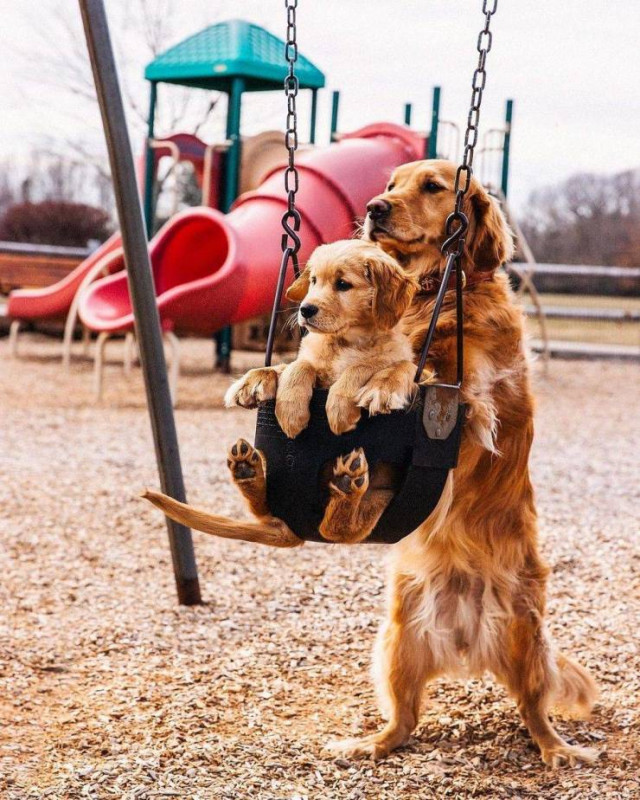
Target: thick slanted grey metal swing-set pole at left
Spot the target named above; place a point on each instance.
(141, 288)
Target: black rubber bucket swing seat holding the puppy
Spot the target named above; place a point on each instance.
(424, 440)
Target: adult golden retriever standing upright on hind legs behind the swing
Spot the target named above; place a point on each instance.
(467, 590)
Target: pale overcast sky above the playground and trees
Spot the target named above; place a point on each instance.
(572, 67)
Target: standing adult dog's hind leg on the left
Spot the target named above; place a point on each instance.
(403, 663)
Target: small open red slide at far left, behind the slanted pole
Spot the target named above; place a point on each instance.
(53, 302)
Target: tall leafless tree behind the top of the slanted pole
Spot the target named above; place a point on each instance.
(142, 29)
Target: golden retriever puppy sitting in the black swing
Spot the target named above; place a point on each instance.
(352, 296)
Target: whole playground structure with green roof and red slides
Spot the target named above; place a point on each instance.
(210, 271)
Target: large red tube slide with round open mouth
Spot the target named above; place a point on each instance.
(212, 269)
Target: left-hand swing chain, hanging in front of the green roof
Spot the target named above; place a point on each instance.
(291, 218)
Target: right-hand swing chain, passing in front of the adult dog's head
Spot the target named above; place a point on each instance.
(454, 243)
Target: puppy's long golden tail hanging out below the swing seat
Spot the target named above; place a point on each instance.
(271, 532)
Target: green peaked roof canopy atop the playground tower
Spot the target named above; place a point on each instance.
(211, 59)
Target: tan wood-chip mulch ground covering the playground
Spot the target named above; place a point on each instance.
(108, 689)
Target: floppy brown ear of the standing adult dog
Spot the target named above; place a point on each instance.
(490, 241)
